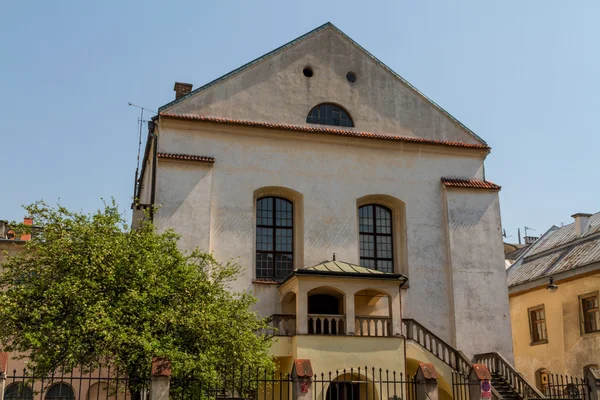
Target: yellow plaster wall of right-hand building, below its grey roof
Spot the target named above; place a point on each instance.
(567, 350)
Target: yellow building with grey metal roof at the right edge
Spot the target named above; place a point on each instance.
(554, 297)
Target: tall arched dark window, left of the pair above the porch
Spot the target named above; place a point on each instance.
(274, 237)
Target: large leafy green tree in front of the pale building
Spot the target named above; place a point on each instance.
(86, 289)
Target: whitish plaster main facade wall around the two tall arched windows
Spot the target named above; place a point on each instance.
(331, 173)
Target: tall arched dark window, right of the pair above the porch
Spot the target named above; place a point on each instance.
(376, 240)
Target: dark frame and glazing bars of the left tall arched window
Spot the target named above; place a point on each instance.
(274, 227)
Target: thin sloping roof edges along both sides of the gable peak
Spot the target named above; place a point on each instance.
(303, 37)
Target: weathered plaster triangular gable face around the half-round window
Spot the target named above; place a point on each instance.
(273, 89)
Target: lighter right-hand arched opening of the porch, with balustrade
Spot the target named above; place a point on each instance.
(373, 314)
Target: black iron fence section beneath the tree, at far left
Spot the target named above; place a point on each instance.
(84, 383)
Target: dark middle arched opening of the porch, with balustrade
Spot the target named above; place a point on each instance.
(326, 311)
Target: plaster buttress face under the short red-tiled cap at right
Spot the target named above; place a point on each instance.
(476, 261)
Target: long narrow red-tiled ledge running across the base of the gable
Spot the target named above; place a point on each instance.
(326, 131)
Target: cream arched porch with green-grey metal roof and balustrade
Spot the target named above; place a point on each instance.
(352, 297)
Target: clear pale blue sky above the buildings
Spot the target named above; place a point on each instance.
(521, 74)
